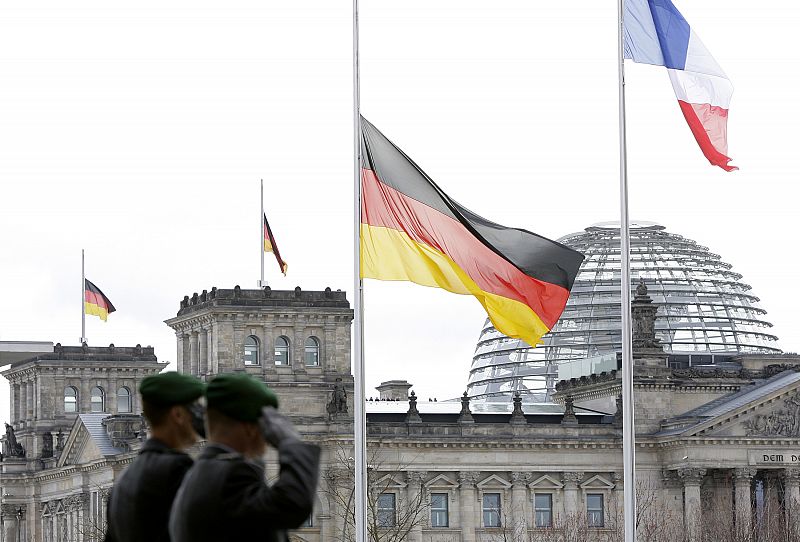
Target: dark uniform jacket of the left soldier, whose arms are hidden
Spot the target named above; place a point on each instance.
(142, 497)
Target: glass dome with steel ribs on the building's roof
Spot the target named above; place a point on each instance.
(705, 313)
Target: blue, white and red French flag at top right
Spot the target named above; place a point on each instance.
(656, 33)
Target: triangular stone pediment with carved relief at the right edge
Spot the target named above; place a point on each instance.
(769, 410)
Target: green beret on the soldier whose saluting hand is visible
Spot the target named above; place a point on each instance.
(239, 396)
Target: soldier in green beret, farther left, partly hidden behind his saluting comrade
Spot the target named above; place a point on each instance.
(142, 497)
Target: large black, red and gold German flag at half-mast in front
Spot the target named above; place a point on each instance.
(411, 230)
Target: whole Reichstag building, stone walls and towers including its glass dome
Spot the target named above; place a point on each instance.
(530, 452)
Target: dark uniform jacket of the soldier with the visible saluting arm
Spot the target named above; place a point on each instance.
(226, 497)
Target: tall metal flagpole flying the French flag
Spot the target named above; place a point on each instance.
(628, 433)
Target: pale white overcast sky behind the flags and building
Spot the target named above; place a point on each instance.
(139, 131)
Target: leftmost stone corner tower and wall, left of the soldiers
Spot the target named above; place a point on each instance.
(56, 478)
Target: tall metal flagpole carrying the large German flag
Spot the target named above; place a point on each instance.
(360, 422)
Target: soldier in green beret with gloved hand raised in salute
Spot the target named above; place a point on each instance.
(225, 495)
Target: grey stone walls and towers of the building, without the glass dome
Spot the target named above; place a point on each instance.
(447, 471)
